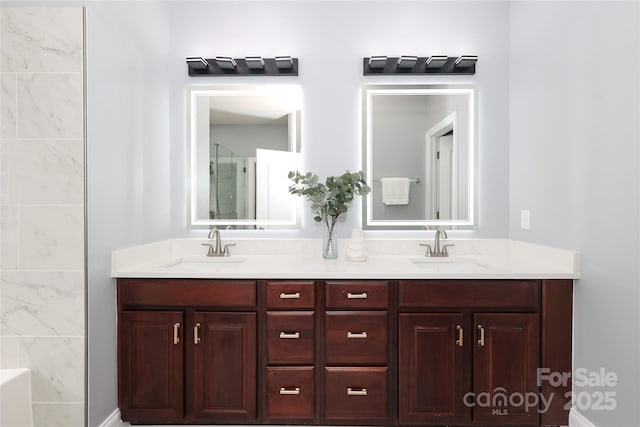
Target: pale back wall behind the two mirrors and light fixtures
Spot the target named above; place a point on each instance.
(330, 39)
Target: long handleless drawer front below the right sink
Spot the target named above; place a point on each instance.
(515, 294)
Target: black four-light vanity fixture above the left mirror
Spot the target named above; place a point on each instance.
(248, 66)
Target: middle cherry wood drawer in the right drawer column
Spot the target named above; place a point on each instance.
(356, 337)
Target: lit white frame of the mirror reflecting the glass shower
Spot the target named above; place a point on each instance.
(195, 91)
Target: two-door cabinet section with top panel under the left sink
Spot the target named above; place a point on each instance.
(187, 351)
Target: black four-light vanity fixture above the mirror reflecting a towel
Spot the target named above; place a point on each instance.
(435, 64)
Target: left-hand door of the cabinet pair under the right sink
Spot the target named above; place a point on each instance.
(430, 369)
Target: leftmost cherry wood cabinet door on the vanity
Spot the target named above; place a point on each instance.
(150, 358)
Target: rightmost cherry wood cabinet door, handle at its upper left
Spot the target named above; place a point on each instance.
(506, 358)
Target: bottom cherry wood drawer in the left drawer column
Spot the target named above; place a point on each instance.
(290, 392)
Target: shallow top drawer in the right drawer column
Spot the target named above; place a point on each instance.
(357, 294)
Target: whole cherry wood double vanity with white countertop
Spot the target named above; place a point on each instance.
(384, 342)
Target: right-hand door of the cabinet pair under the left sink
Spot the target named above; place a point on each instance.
(224, 367)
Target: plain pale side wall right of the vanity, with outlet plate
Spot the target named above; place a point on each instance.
(574, 141)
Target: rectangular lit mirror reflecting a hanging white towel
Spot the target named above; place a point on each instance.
(419, 144)
